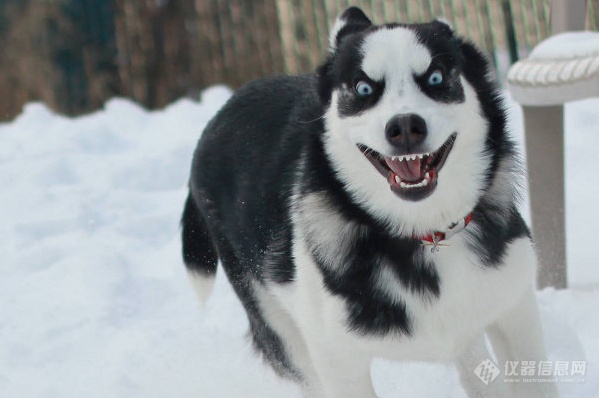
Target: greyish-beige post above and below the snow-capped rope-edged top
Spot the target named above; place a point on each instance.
(545, 156)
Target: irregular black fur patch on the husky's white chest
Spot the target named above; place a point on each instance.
(371, 311)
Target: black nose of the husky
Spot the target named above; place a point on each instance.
(406, 132)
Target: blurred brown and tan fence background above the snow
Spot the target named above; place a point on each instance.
(75, 54)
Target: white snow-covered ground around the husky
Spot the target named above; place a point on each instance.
(94, 301)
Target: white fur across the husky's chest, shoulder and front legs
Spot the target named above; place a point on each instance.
(336, 363)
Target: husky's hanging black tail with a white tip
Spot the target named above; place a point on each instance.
(199, 253)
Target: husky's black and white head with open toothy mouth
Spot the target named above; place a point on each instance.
(414, 125)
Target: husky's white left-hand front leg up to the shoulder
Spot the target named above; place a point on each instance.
(335, 366)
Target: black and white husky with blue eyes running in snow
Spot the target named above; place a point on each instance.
(369, 210)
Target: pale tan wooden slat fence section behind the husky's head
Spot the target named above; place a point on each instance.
(489, 24)
